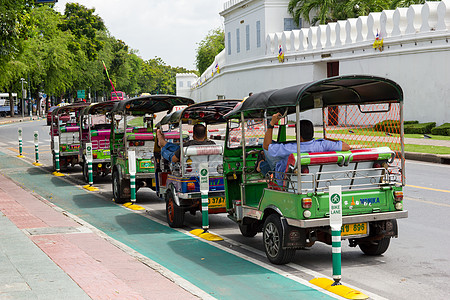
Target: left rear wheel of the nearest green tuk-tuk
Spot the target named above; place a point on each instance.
(273, 240)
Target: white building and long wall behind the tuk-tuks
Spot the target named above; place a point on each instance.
(415, 53)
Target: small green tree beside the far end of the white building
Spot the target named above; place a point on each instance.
(208, 48)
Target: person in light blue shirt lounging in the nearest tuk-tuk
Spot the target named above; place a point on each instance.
(275, 155)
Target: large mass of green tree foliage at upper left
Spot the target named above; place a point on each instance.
(61, 53)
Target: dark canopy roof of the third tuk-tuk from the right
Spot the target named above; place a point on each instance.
(151, 104)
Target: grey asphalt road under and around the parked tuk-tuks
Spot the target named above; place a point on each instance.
(417, 264)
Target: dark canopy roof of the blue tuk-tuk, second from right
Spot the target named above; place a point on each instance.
(210, 112)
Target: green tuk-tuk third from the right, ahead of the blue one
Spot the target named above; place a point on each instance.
(132, 130)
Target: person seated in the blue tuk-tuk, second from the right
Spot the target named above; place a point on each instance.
(172, 152)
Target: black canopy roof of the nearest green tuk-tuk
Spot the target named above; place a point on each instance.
(340, 90)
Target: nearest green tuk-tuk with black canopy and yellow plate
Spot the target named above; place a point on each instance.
(291, 207)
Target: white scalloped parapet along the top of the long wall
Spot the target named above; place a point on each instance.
(402, 22)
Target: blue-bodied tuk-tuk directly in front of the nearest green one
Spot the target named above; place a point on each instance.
(179, 183)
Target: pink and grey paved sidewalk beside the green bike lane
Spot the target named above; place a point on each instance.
(45, 253)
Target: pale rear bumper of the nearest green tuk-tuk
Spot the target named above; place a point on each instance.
(349, 219)
